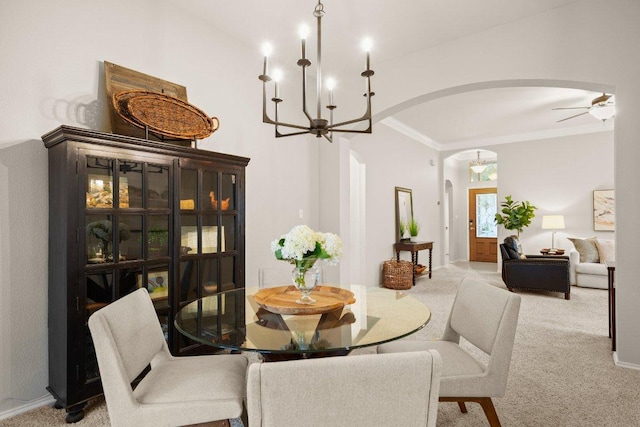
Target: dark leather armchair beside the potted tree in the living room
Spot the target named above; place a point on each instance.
(534, 272)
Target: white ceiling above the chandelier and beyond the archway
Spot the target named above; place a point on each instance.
(400, 28)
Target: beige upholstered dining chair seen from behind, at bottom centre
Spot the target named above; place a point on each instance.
(370, 390)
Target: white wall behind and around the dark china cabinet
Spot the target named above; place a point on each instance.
(52, 66)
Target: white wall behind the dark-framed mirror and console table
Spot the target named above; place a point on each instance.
(394, 160)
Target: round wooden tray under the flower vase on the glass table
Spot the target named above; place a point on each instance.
(282, 299)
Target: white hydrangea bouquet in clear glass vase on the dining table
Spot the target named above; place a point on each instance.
(302, 247)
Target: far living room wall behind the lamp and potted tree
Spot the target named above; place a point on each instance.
(557, 175)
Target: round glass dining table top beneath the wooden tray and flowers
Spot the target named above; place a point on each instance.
(233, 320)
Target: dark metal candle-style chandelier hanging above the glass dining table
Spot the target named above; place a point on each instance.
(318, 126)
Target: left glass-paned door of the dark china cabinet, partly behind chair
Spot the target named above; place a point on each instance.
(127, 240)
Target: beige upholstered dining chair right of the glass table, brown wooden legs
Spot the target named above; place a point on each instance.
(486, 316)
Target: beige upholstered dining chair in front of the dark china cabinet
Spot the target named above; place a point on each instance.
(177, 390)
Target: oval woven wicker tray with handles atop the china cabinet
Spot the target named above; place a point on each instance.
(164, 115)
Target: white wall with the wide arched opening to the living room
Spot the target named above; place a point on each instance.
(551, 46)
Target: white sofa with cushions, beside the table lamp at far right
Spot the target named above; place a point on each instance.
(591, 274)
